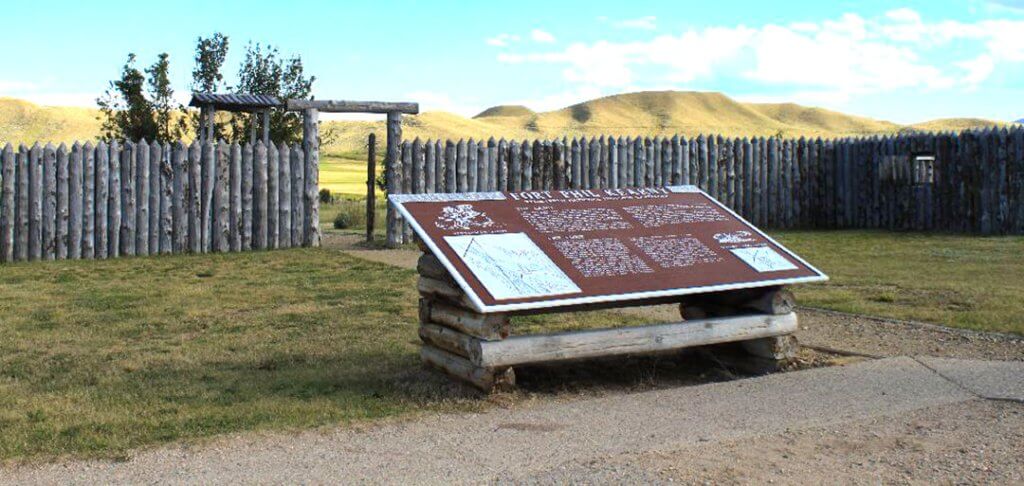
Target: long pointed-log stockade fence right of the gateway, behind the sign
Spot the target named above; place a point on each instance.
(971, 182)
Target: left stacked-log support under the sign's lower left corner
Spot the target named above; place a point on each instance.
(452, 332)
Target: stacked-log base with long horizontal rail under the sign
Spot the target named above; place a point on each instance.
(480, 349)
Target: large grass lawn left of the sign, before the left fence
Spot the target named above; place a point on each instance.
(98, 358)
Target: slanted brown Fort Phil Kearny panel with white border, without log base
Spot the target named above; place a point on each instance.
(537, 250)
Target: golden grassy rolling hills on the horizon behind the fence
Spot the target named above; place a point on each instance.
(651, 113)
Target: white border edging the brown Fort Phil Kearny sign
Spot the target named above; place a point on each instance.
(399, 201)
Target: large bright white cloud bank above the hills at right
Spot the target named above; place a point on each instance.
(838, 58)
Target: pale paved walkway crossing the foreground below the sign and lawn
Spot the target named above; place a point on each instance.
(531, 443)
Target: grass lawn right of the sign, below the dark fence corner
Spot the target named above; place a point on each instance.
(963, 282)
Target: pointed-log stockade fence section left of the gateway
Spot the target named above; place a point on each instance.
(106, 201)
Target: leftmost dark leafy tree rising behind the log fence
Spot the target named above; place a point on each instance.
(125, 111)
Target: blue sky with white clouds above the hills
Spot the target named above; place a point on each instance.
(902, 62)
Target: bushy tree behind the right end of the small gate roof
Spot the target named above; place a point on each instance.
(265, 72)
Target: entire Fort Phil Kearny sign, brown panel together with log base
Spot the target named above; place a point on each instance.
(489, 256)
